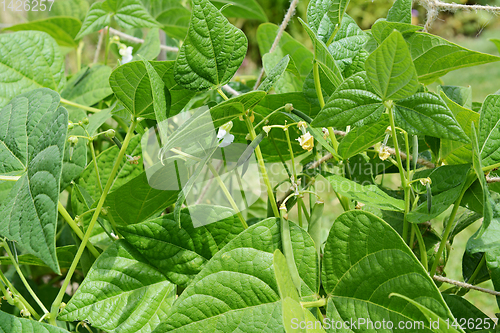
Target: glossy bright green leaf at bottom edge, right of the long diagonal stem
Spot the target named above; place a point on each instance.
(121, 293)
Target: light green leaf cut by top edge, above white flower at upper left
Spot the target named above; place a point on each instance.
(127, 13)
